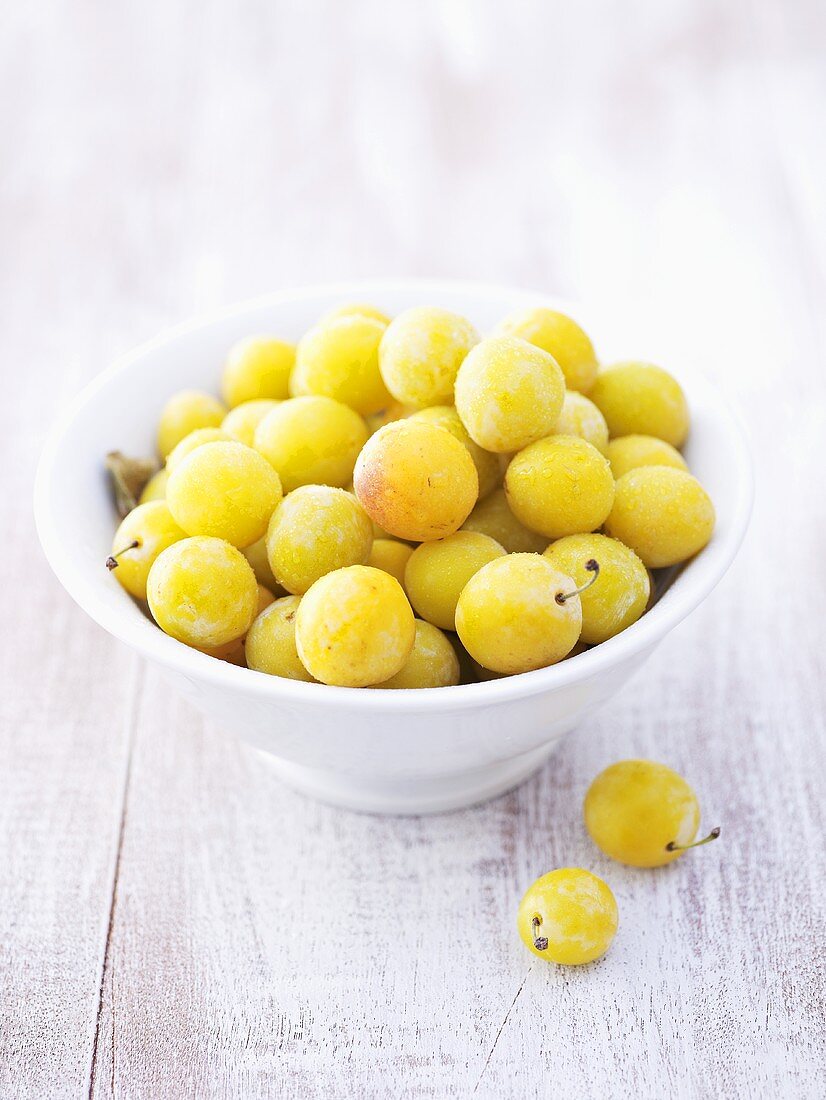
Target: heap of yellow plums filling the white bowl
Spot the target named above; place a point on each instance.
(399, 503)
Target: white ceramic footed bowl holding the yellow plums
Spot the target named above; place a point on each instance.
(394, 752)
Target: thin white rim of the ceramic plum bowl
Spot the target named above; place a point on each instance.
(687, 593)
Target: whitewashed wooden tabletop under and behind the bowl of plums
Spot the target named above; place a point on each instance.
(175, 923)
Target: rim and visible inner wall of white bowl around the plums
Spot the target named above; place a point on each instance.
(119, 412)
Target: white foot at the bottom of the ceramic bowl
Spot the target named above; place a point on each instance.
(428, 795)
